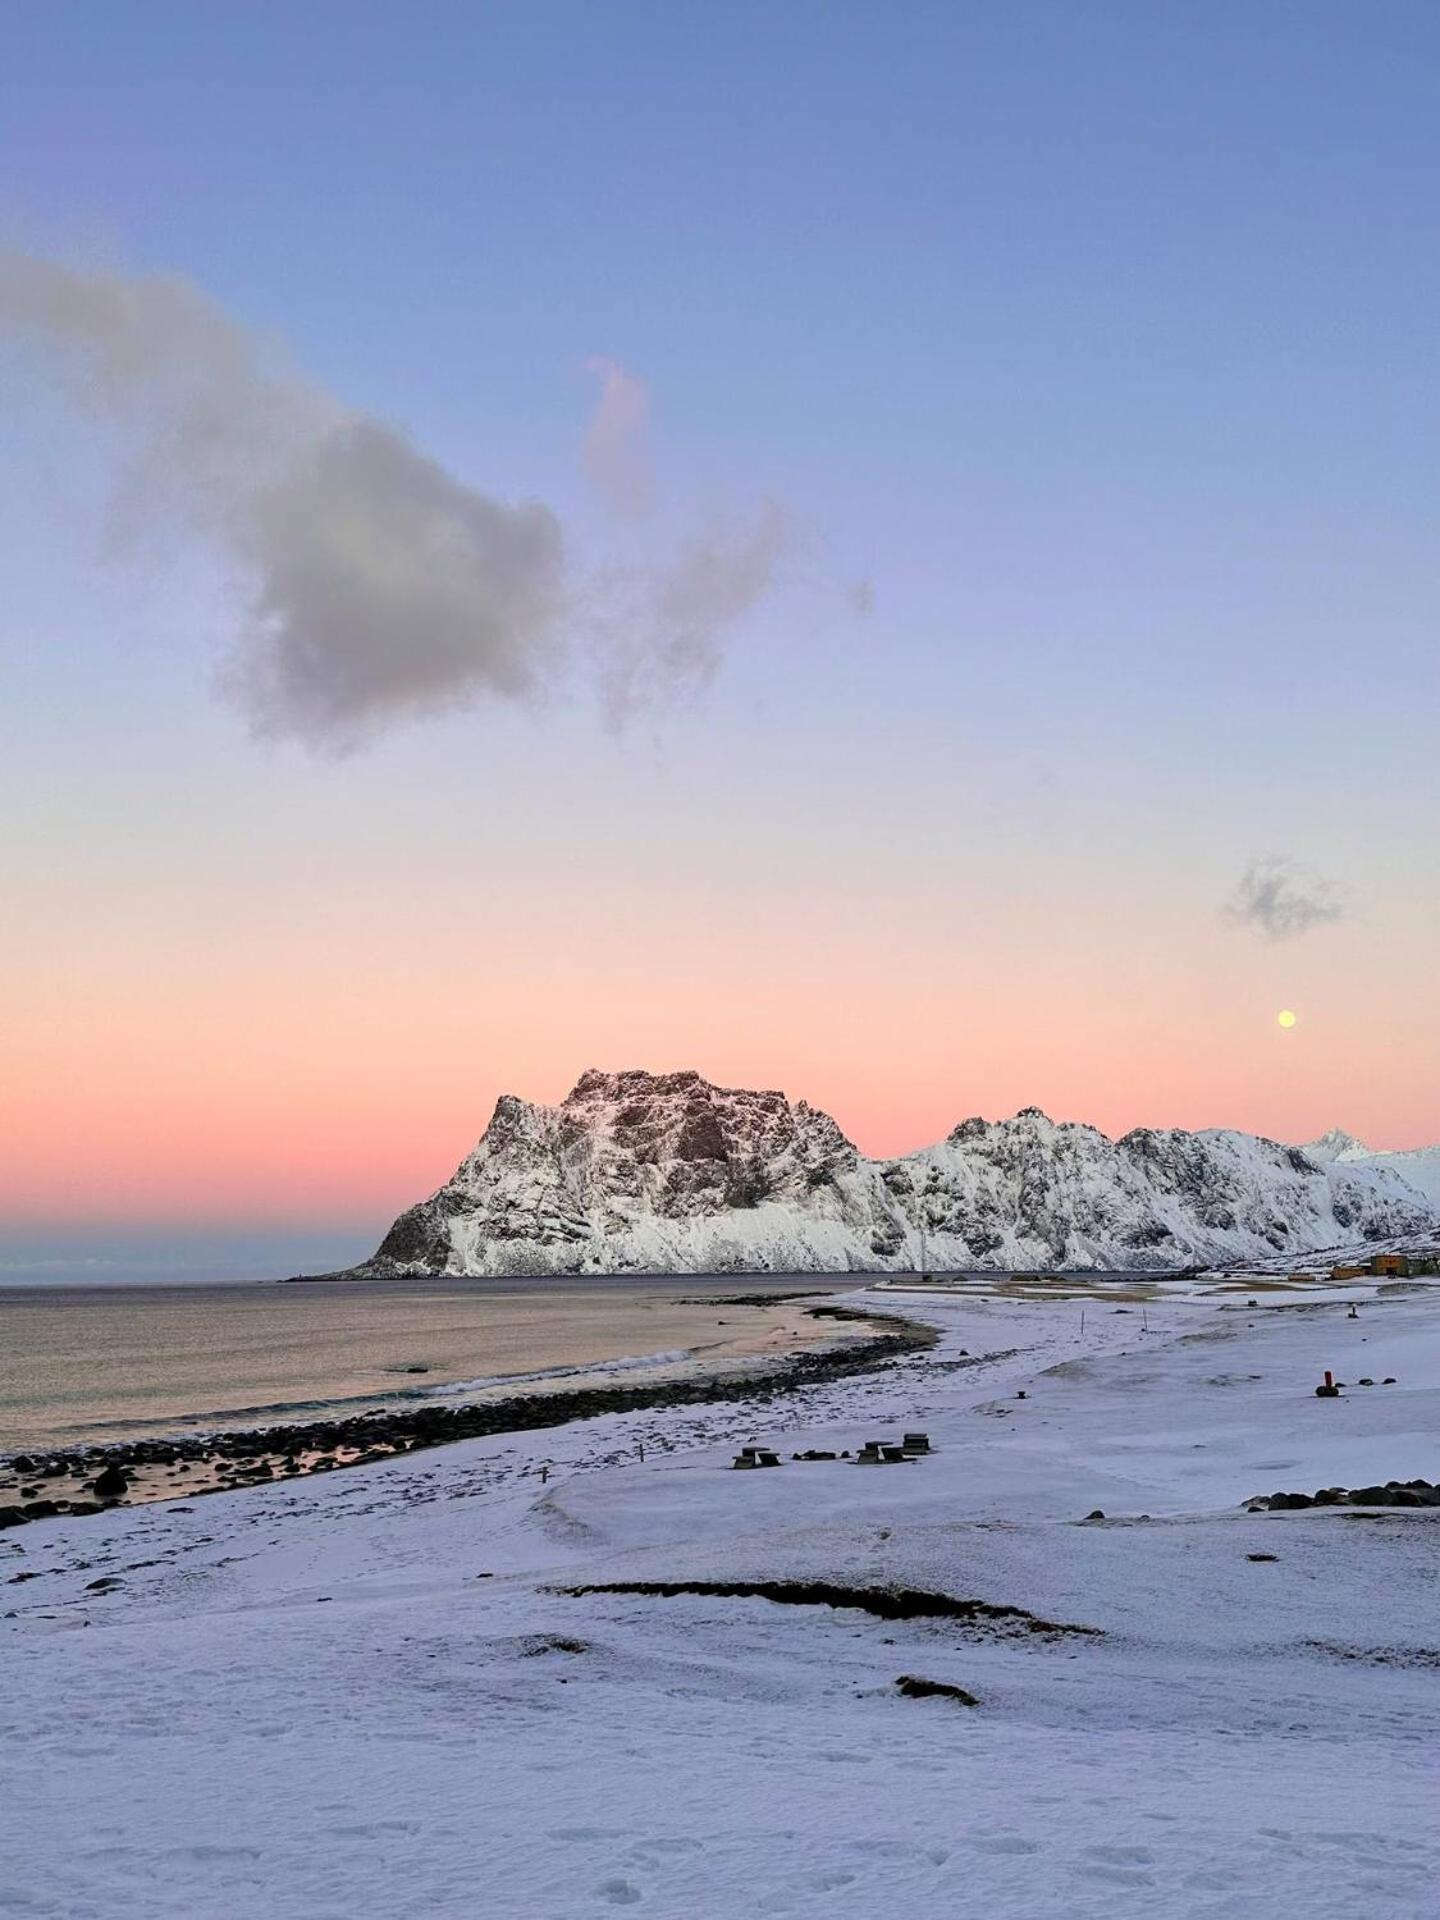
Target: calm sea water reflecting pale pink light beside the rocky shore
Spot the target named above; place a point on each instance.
(114, 1362)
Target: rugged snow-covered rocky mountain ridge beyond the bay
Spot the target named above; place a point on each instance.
(667, 1174)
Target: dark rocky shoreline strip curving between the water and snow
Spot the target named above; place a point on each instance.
(70, 1481)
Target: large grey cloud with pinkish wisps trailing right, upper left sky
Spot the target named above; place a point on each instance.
(377, 587)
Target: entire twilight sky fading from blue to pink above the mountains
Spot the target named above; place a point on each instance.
(880, 550)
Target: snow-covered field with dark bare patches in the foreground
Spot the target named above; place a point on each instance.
(370, 1696)
